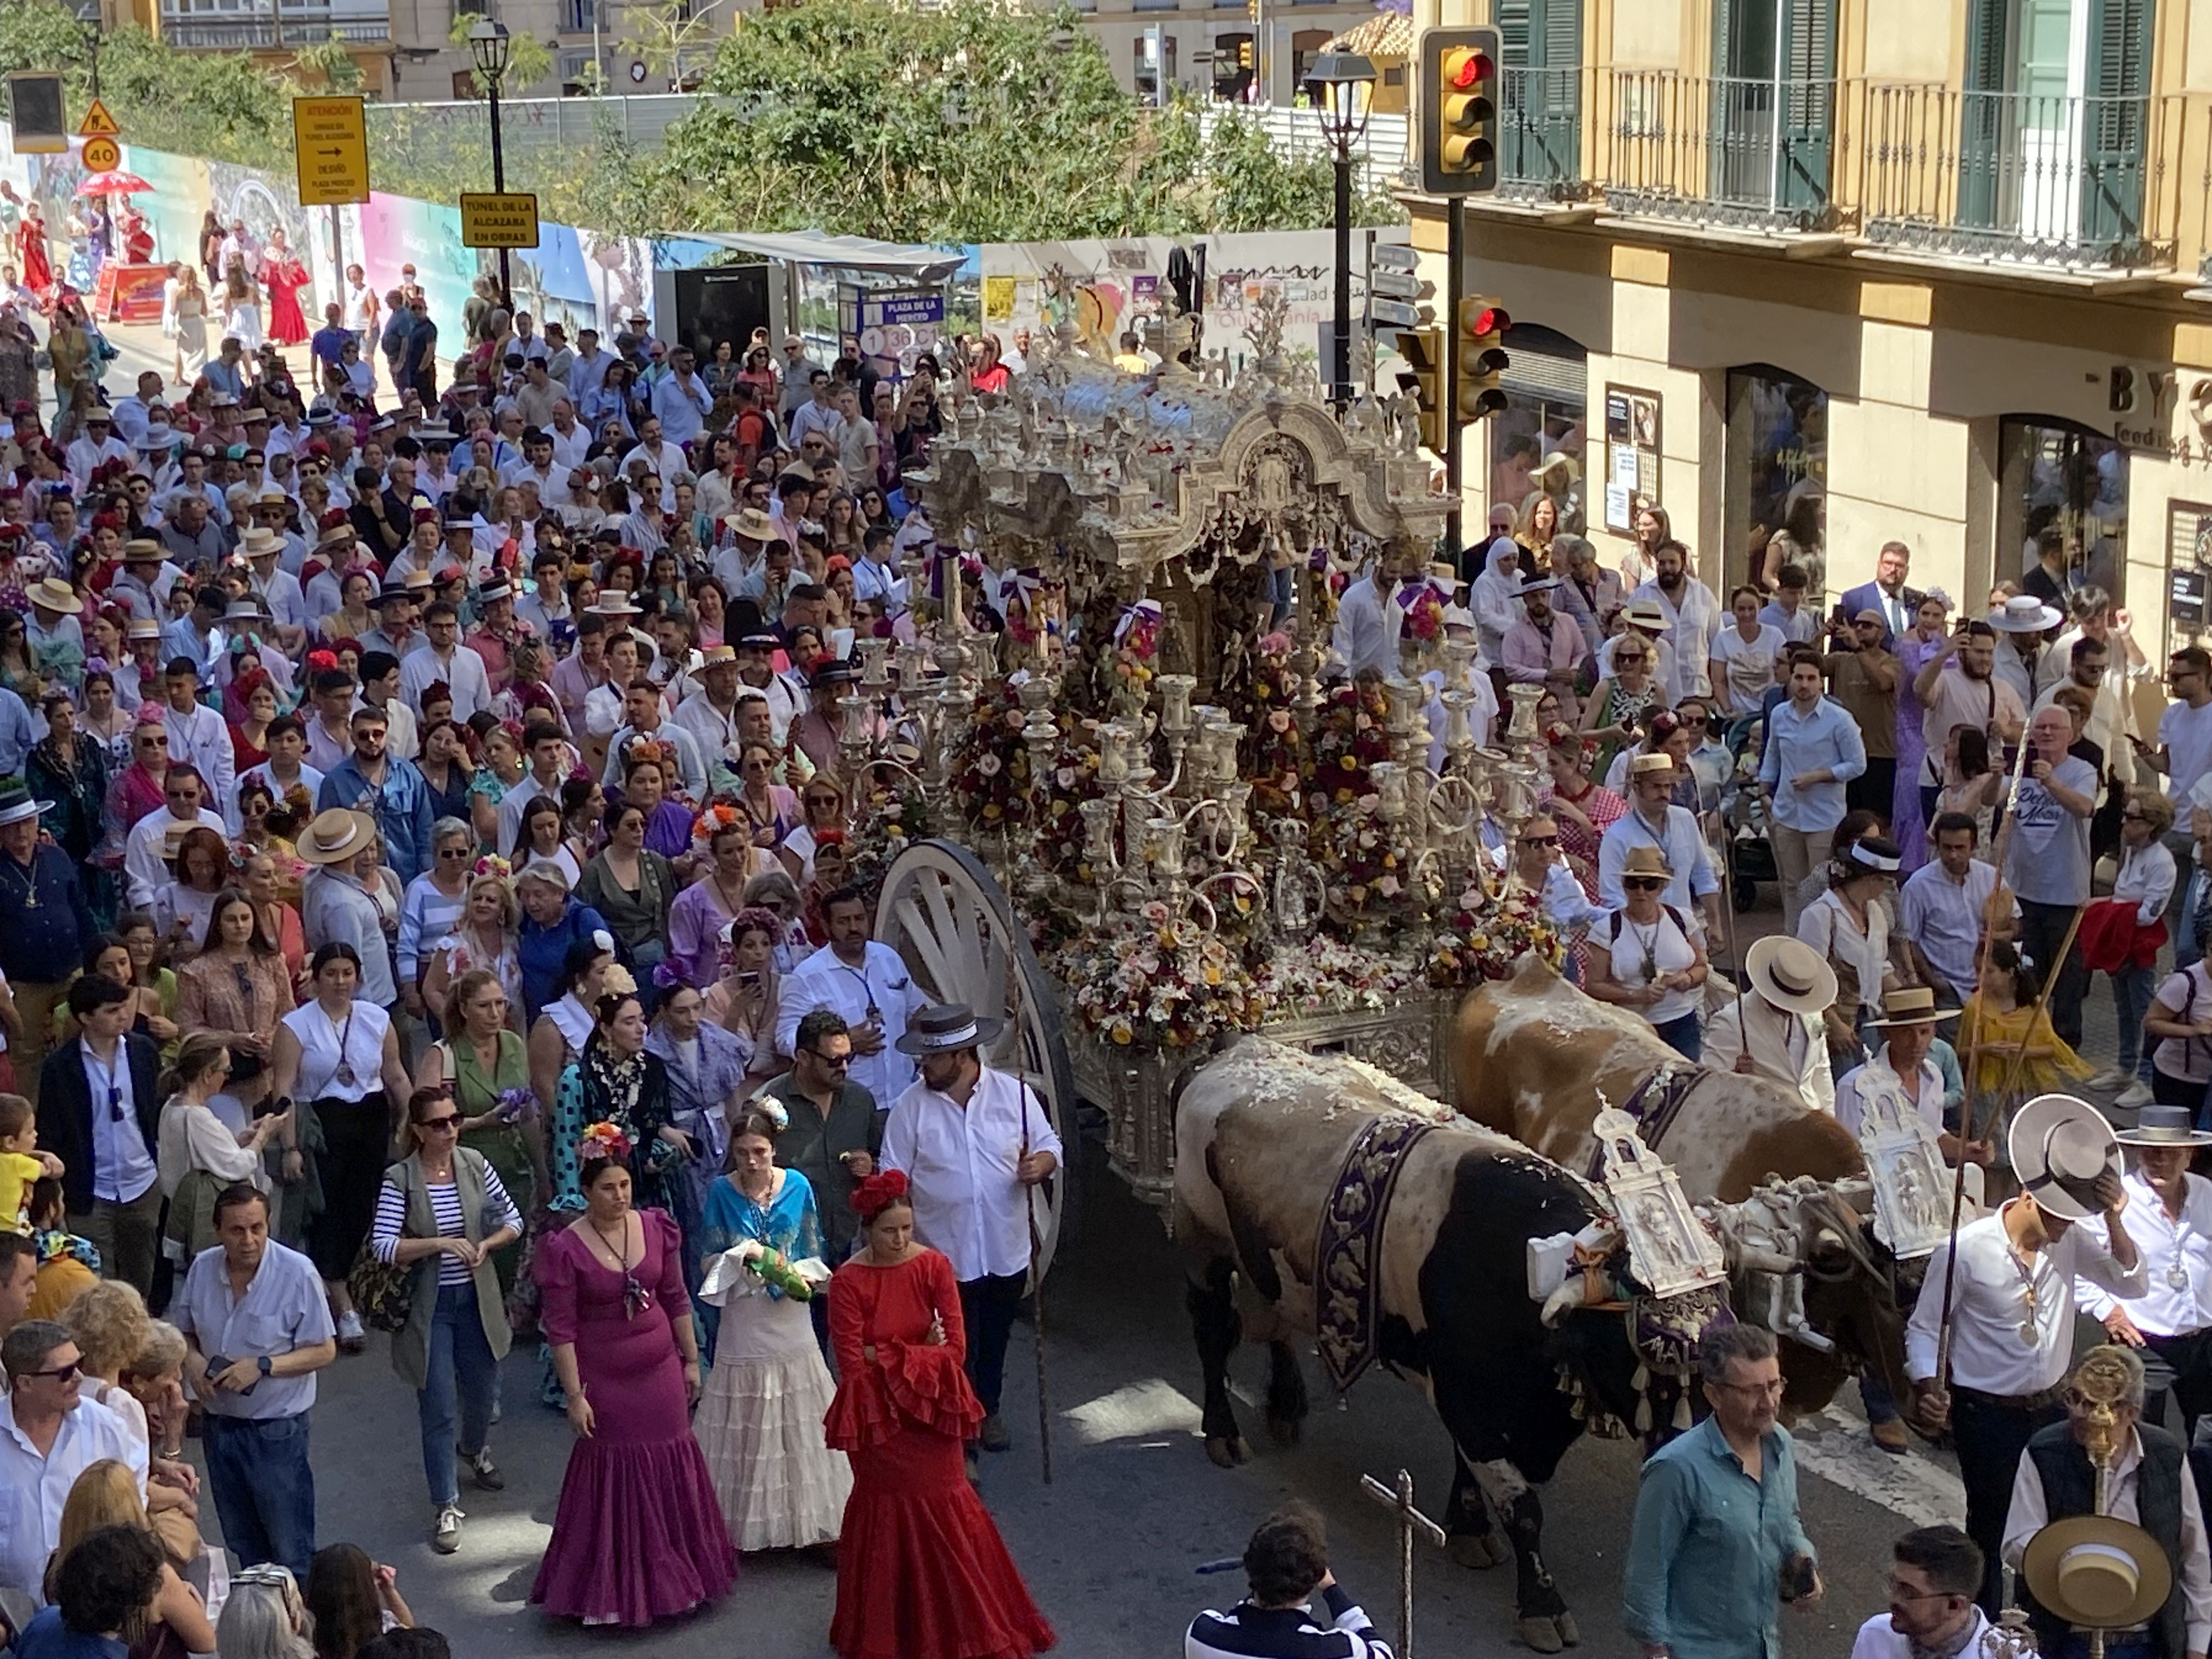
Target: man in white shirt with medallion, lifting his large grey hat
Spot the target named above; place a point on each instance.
(2014, 1306)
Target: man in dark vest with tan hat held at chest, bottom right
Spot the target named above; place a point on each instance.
(2131, 1565)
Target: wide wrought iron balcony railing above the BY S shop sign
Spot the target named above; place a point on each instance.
(2047, 180)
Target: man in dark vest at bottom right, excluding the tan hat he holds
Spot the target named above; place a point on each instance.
(2142, 1483)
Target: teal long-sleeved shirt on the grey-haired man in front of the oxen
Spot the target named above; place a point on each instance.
(1709, 1547)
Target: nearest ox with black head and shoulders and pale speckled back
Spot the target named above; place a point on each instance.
(1260, 1138)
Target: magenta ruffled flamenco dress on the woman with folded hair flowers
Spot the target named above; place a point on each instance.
(638, 1534)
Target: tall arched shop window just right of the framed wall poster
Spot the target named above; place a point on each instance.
(1775, 481)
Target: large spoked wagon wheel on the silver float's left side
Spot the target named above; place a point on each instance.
(952, 926)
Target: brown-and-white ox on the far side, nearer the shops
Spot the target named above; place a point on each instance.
(1536, 1058)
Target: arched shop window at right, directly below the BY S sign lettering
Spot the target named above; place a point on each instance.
(2063, 477)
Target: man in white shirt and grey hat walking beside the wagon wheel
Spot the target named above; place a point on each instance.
(974, 1145)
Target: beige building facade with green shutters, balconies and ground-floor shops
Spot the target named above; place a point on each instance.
(1861, 271)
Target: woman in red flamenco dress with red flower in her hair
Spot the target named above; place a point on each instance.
(921, 1572)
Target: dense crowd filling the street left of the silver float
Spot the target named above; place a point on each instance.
(428, 910)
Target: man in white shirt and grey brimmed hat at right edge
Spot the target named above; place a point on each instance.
(2171, 1222)
